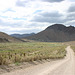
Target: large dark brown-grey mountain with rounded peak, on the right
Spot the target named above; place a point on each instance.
(55, 33)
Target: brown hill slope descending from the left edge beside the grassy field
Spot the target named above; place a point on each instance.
(6, 38)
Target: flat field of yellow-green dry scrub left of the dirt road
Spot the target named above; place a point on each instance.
(25, 52)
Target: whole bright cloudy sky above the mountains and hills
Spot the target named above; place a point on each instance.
(28, 16)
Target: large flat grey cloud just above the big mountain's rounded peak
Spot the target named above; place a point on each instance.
(50, 17)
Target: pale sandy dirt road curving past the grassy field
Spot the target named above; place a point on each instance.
(65, 66)
